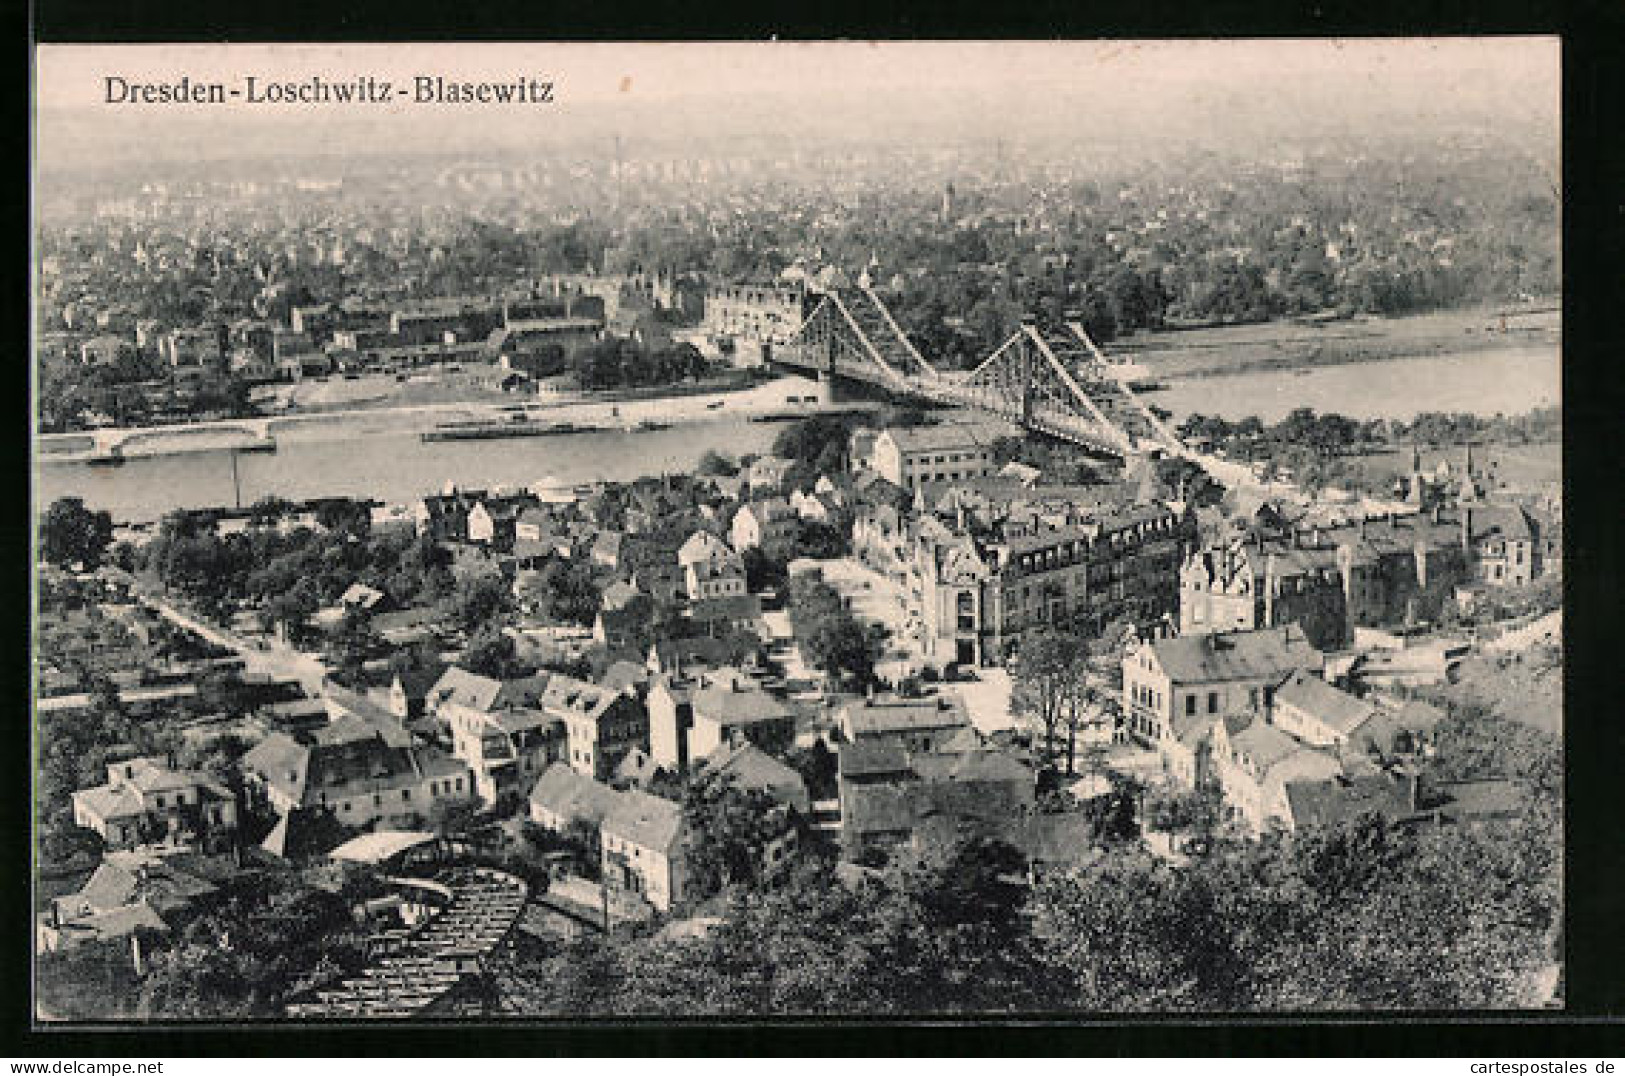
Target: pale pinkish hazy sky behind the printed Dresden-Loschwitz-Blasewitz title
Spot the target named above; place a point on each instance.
(672, 89)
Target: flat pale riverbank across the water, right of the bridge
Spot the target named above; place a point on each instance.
(1220, 352)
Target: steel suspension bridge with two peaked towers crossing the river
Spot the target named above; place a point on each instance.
(1049, 381)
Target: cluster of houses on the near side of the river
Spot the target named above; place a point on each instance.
(1241, 675)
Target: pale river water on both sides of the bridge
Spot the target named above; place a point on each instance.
(375, 458)
